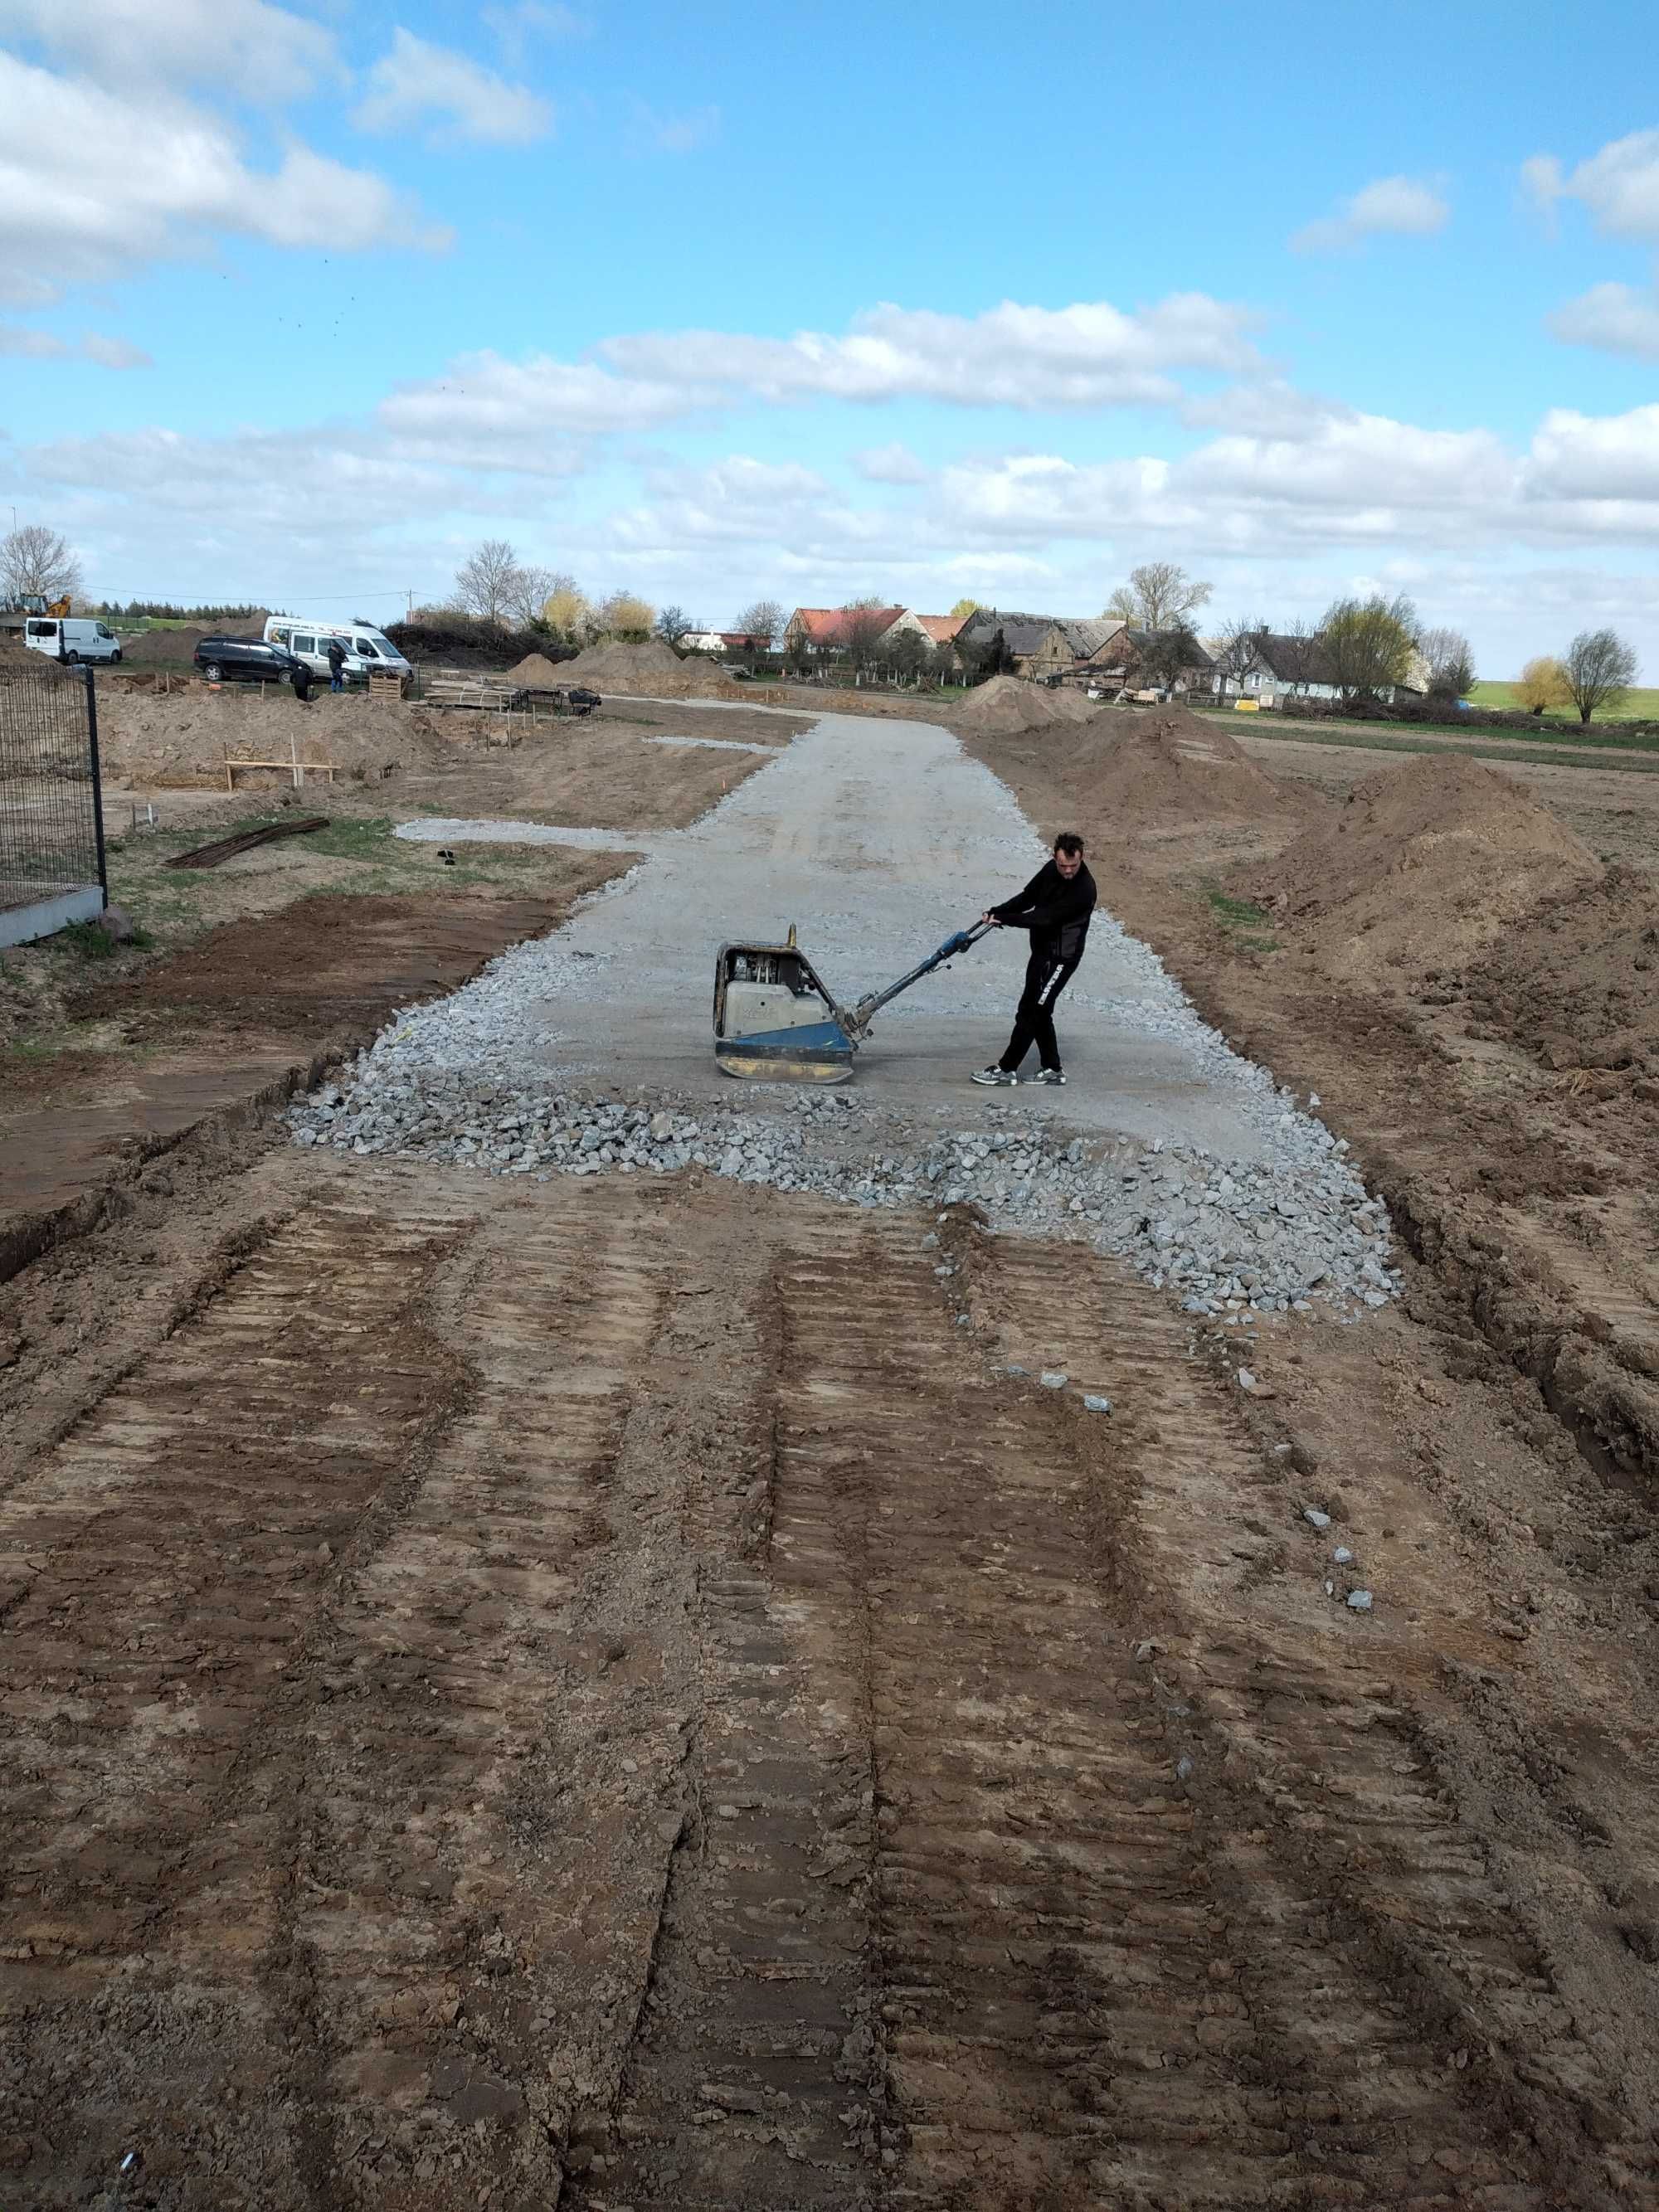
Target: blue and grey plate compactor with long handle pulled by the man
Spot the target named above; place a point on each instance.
(778, 1021)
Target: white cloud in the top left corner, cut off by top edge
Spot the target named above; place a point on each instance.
(264, 52)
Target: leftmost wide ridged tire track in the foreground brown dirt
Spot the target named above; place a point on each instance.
(160, 1574)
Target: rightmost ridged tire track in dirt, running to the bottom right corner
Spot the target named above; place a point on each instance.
(1335, 1835)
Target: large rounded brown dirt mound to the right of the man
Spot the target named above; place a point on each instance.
(1423, 868)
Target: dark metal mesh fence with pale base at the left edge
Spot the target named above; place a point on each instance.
(52, 824)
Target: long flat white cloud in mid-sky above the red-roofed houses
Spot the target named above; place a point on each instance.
(1087, 355)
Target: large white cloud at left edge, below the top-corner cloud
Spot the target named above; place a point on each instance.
(94, 182)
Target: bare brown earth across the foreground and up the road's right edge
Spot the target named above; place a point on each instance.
(607, 1695)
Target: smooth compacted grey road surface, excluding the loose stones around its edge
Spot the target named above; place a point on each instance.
(877, 839)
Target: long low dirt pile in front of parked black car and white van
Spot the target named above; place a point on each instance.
(180, 740)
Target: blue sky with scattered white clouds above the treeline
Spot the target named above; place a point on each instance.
(298, 306)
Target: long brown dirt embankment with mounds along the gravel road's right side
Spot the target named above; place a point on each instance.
(1421, 1034)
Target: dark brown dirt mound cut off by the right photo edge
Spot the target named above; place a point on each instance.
(1576, 979)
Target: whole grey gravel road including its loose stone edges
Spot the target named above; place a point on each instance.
(592, 1050)
